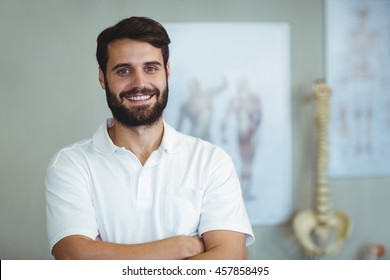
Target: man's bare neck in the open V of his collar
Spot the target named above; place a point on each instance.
(142, 141)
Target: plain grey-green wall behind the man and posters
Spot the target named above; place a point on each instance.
(50, 97)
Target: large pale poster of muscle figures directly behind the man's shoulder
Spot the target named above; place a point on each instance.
(230, 85)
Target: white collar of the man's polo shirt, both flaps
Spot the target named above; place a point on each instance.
(103, 143)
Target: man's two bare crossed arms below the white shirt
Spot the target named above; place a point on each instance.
(218, 244)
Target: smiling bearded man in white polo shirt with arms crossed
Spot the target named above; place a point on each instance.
(138, 189)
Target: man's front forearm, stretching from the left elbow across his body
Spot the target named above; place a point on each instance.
(79, 247)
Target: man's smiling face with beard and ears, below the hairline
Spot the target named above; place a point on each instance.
(135, 82)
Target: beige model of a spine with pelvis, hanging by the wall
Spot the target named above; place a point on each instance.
(322, 231)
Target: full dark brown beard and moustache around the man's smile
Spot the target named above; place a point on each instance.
(144, 115)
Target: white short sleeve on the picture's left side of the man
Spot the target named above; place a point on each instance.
(69, 206)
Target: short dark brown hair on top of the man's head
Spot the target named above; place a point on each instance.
(136, 28)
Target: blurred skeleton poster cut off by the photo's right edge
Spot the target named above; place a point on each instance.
(358, 71)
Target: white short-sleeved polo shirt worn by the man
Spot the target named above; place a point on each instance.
(186, 187)
